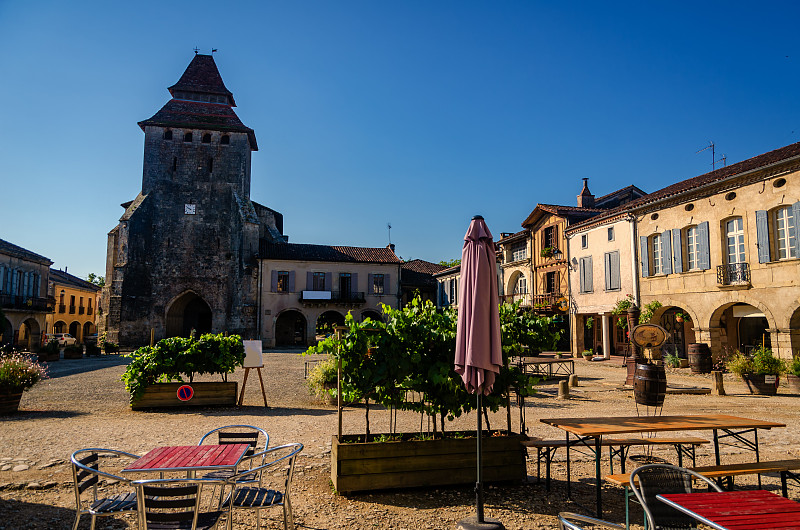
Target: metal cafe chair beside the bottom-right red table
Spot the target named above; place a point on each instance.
(653, 479)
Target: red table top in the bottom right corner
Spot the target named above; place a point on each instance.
(740, 510)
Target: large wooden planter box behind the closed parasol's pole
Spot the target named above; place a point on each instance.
(414, 463)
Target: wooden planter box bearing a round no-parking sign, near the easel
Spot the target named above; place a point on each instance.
(206, 394)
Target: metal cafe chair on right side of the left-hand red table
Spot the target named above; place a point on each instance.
(249, 496)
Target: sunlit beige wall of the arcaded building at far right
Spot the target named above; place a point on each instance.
(706, 294)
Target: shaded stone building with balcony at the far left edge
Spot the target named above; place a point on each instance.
(23, 296)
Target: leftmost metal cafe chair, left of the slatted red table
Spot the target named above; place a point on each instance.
(86, 474)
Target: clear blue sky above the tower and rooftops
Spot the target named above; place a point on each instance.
(418, 113)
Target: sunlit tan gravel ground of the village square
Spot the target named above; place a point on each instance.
(84, 404)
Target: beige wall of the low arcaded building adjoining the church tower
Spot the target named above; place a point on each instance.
(281, 309)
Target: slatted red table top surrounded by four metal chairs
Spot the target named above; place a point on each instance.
(190, 457)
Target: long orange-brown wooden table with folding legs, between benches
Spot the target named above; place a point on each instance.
(589, 433)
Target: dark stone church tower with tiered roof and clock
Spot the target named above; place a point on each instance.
(184, 254)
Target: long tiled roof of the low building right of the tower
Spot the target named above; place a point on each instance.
(304, 252)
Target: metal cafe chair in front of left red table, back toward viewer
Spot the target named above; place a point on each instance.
(173, 504)
